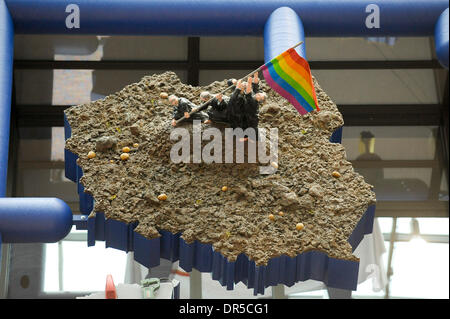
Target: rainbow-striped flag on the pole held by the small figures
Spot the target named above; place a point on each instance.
(289, 75)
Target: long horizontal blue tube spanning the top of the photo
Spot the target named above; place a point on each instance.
(340, 18)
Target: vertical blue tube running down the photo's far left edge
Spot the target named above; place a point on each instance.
(6, 61)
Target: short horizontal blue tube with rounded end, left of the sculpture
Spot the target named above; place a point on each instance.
(31, 220)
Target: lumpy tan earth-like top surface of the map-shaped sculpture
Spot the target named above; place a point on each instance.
(237, 220)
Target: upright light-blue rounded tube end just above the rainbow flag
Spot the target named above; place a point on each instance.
(283, 30)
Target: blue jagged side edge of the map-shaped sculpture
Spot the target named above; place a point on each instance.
(285, 270)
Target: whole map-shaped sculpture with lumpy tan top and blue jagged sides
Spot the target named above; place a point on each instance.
(228, 233)
